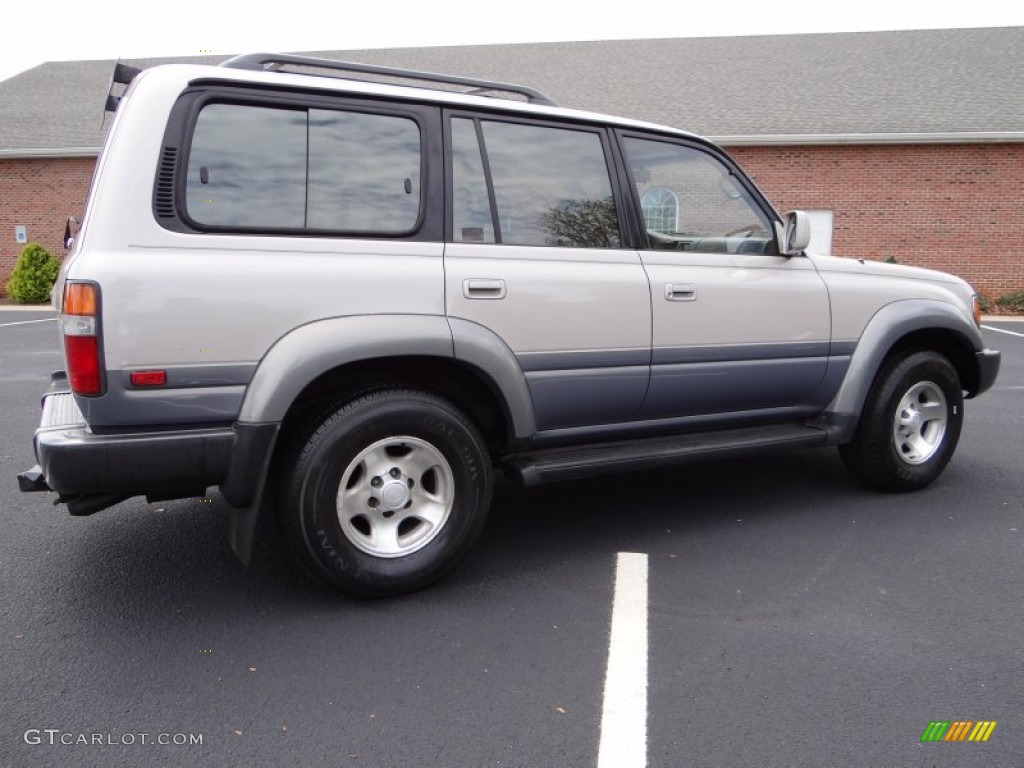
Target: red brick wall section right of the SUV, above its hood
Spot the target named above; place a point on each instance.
(959, 208)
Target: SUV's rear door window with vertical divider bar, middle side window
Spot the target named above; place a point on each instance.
(550, 187)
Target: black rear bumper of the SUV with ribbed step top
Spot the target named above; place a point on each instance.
(74, 461)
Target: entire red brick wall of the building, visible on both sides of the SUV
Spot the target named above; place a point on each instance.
(959, 208)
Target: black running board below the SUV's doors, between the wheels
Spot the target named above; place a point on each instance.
(572, 463)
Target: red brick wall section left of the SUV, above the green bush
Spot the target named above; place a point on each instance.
(40, 195)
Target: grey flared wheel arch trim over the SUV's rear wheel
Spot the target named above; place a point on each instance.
(471, 366)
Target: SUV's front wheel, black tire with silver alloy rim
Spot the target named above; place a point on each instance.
(911, 423)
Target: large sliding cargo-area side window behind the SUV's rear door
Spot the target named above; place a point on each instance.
(263, 168)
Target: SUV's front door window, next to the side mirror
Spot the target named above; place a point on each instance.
(693, 202)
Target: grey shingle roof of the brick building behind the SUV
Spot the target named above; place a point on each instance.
(932, 82)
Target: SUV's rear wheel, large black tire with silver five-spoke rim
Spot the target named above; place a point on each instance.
(416, 497)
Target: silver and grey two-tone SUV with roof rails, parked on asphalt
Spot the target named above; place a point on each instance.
(353, 294)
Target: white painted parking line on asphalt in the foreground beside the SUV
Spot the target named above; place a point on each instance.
(624, 719)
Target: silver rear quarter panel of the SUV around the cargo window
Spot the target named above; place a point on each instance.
(174, 300)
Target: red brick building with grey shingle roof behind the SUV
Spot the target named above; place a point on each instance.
(903, 145)
